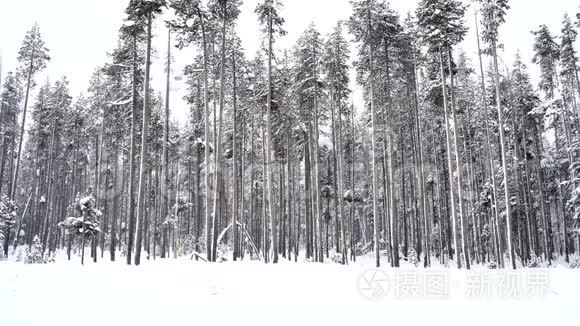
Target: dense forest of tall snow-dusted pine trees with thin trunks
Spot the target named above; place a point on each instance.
(448, 159)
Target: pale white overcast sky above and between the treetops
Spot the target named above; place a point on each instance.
(80, 33)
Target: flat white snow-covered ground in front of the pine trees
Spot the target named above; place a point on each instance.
(186, 292)
